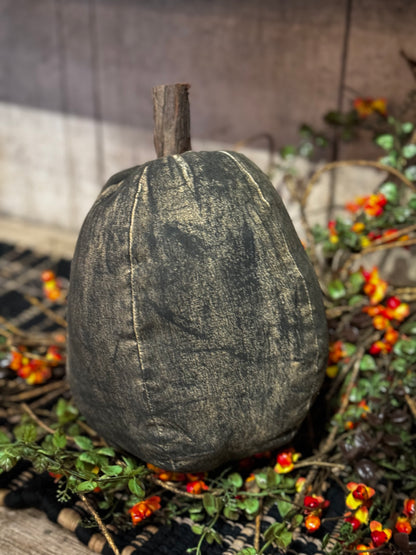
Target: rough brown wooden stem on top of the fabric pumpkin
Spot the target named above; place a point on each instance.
(172, 131)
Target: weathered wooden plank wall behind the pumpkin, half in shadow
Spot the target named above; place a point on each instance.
(76, 79)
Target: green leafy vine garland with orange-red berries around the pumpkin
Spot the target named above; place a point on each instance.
(367, 448)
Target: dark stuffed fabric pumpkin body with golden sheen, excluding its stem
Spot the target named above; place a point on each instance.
(197, 332)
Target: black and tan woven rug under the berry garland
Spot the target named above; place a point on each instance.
(22, 487)
